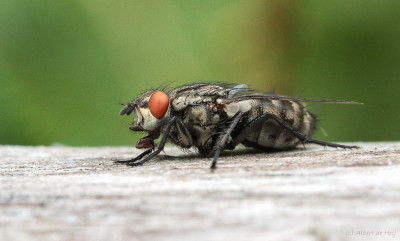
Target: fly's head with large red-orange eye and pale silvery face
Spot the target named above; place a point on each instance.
(152, 112)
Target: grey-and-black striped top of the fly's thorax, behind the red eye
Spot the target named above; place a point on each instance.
(194, 94)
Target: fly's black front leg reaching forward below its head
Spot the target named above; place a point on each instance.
(150, 153)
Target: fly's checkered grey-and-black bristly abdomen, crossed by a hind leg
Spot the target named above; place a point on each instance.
(271, 134)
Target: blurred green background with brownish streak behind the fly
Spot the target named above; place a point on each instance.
(65, 66)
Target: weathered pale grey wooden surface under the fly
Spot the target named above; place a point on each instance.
(64, 193)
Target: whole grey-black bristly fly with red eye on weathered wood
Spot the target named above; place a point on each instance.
(217, 117)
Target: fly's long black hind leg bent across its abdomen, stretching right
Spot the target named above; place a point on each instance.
(303, 138)
